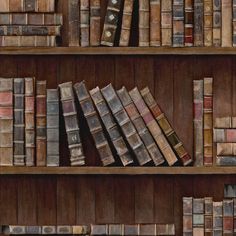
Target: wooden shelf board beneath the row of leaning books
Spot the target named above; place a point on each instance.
(116, 170)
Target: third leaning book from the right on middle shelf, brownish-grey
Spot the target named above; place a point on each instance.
(140, 126)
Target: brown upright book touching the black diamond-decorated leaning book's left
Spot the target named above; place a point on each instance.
(95, 22)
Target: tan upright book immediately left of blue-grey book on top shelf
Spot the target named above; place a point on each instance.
(166, 23)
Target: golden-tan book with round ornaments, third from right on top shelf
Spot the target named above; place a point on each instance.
(208, 22)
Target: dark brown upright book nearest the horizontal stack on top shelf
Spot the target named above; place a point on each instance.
(73, 22)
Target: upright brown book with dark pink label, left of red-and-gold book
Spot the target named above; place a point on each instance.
(198, 122)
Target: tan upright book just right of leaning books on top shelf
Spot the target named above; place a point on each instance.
(144, 23)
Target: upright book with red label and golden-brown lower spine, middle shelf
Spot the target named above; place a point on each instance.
(208, 121)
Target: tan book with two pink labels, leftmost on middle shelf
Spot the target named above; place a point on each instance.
(6, 122)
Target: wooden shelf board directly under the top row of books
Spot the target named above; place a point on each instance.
(116, 51)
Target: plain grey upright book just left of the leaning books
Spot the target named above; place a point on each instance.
(52, 127)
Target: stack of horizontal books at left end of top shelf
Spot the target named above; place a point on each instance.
(29, 23)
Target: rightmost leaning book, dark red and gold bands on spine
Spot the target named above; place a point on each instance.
(167, 129)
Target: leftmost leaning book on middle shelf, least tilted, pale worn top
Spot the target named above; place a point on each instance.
(77, 157)
